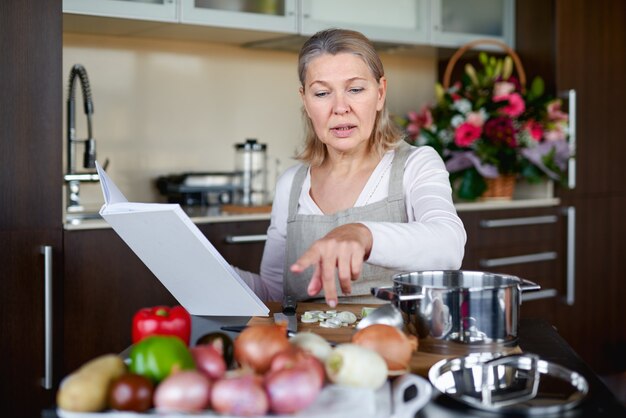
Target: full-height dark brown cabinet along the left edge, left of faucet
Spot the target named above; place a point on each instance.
(30, 203)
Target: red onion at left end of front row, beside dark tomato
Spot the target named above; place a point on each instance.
(184, 391)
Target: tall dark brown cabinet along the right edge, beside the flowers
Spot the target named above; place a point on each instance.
(580, 45)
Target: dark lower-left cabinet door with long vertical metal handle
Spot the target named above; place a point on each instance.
(30, 309)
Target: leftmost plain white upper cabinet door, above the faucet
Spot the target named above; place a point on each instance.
(156, 10)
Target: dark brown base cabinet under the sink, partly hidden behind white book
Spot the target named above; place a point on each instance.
(105, 283)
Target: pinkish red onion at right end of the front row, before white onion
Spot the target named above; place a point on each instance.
(292, 389)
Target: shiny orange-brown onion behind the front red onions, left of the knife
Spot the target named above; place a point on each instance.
(257, 344)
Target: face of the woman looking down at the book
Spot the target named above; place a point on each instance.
(342, 98)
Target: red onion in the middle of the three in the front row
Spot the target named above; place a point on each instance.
(241, 395)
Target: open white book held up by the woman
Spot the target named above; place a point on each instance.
(179, 255)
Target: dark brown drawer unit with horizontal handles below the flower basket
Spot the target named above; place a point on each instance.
(530, 243)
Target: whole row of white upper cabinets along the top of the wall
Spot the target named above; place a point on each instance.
(447, 23)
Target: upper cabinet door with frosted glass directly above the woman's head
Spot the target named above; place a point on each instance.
(403, 21)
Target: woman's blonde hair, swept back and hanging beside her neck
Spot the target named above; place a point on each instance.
(385, 134)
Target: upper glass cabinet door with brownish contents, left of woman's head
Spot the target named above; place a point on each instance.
(265, 15)
